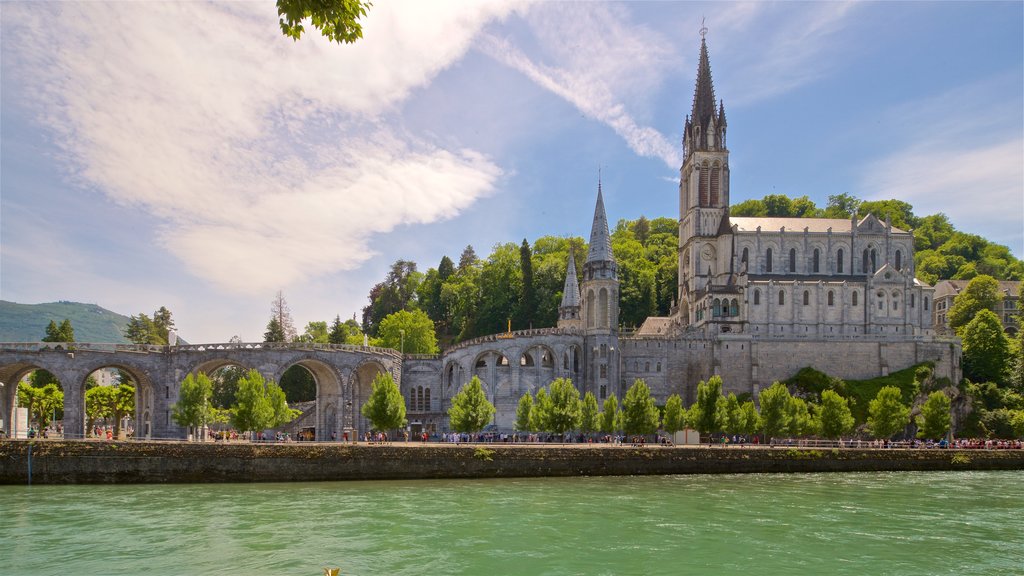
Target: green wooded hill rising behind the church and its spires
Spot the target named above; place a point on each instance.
(523, 284)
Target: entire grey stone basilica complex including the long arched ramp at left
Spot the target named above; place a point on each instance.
(759, 299)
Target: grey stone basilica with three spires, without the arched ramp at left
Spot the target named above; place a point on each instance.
(759, 300)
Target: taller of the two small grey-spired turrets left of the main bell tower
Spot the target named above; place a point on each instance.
(601, 309)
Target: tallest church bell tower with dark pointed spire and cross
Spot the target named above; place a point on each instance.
(704, 194)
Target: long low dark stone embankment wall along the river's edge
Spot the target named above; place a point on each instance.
(134, 463)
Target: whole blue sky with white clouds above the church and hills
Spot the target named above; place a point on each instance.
(188, 155)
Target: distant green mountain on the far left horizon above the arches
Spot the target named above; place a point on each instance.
(27, 323)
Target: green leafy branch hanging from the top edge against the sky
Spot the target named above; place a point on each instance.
(338, 21)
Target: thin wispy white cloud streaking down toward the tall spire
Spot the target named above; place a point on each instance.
(603, 63)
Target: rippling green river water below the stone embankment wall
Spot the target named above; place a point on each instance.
(826, 524)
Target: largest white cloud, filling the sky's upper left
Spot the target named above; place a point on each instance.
(269, 161)
